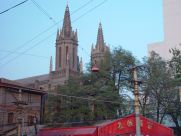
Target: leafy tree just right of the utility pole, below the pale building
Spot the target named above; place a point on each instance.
(157, 87)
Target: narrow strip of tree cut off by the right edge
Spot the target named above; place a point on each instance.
(174, 109)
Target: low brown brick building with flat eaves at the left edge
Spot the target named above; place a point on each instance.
(32, 102)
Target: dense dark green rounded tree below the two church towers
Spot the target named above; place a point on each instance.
(65, 108)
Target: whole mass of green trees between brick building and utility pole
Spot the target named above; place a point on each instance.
(92, 96)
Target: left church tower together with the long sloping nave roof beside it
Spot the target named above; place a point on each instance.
(66, 63)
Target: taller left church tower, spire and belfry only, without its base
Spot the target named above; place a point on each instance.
(66, 46)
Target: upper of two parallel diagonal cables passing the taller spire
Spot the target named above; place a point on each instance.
(46, 30)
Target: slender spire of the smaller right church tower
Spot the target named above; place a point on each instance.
(100, 38)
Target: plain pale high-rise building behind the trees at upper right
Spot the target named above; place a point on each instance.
(172, 29)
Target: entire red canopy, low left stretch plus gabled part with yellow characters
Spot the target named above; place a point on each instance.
(120, 127)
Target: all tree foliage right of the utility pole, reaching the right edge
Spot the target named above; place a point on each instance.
(160, 89)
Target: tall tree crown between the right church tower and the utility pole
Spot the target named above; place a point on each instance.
(121, 61)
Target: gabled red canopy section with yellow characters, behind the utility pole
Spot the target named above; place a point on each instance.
(127, 125)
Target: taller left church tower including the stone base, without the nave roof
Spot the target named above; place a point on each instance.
(66, 59)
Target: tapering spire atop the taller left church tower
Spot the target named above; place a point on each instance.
(67, 29)
